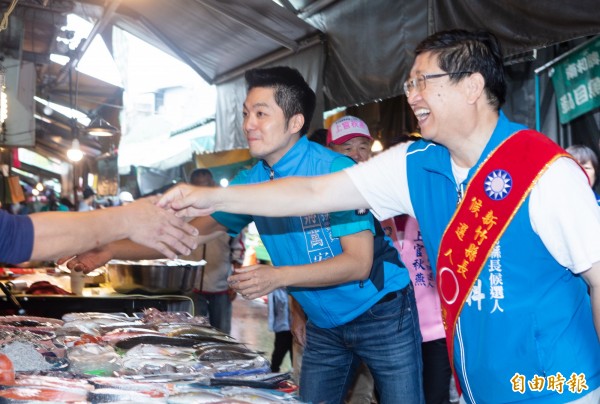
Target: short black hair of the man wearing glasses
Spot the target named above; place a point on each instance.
(476, 52)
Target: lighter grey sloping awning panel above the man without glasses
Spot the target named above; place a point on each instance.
(214, 37)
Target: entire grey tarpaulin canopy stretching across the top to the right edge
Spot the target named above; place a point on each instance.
(369, 43)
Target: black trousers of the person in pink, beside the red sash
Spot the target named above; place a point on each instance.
(436, 372)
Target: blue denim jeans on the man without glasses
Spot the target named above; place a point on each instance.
(386, 338)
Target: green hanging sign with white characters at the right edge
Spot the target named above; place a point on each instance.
(576, 81)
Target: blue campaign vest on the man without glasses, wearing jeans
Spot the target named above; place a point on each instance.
(312, 238)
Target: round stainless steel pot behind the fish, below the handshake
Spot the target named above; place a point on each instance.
(153, 277)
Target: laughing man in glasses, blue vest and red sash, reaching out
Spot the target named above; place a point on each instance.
(510, 214)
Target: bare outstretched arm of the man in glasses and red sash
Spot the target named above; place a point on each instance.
(292, 196)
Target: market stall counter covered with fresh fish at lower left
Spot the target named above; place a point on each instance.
(104, 346)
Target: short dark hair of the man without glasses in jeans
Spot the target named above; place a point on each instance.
(292, 94)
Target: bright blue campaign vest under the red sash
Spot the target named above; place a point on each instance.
(527, 317)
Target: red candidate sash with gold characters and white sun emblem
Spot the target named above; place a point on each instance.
(492, 198)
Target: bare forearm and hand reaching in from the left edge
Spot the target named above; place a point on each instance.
(57, 234)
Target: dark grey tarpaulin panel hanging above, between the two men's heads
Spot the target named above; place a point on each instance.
(369, 48)
